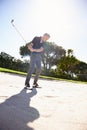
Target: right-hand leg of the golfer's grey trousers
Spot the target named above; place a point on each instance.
(38, 70)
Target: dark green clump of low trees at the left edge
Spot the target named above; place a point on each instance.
(7, 61)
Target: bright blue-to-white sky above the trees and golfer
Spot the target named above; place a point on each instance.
(64, 20)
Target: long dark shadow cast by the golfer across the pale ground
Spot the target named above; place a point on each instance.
(16, 112)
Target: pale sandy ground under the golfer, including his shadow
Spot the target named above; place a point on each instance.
(57, 105)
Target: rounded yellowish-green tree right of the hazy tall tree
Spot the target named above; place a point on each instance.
(67, 64)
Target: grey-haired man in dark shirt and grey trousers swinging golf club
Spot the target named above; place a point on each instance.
(36, 48)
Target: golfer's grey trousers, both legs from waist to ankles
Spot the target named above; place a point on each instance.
(35, 62)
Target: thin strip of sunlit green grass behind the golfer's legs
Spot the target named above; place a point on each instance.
(43, 77)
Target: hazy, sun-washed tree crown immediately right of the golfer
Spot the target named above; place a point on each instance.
(52, 54)
